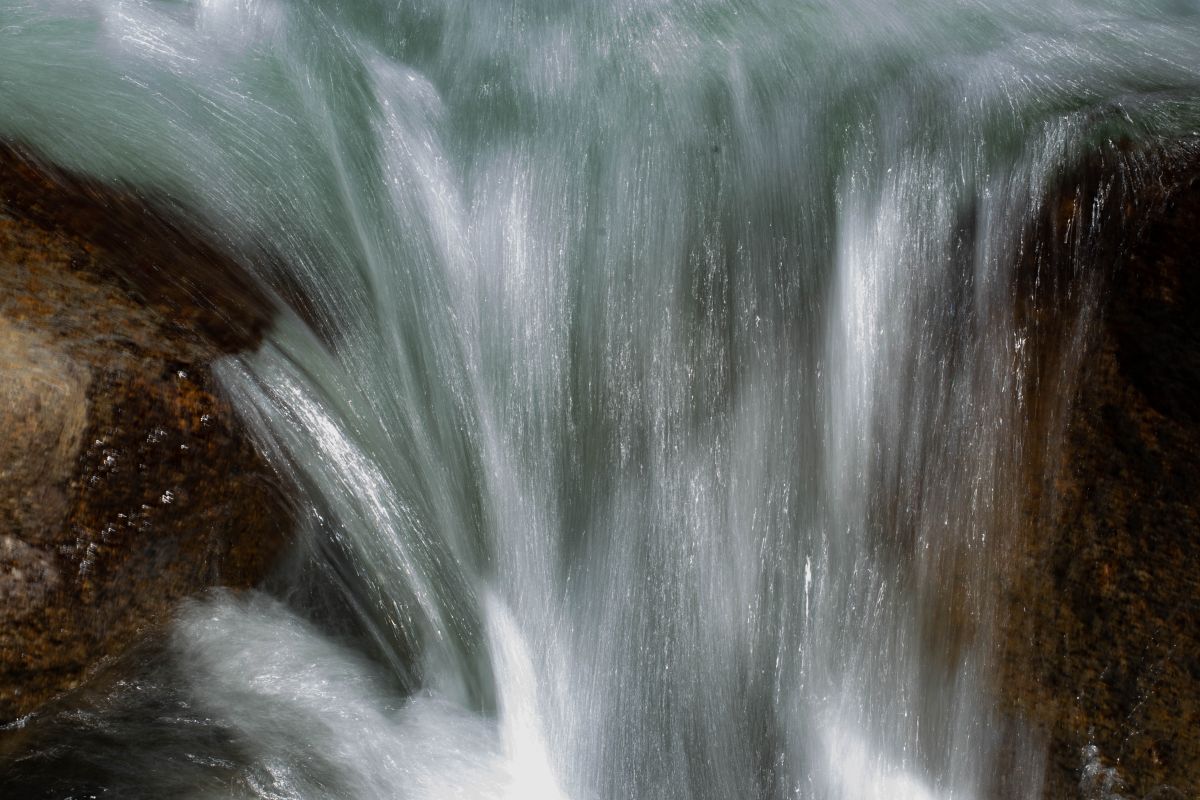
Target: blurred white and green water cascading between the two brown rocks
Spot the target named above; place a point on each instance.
(658, 398)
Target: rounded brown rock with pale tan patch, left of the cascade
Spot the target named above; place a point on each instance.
(127, 483)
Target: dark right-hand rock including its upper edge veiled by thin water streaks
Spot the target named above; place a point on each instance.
(1102, 652)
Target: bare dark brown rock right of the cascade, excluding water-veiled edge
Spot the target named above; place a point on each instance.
(1105, 624)
